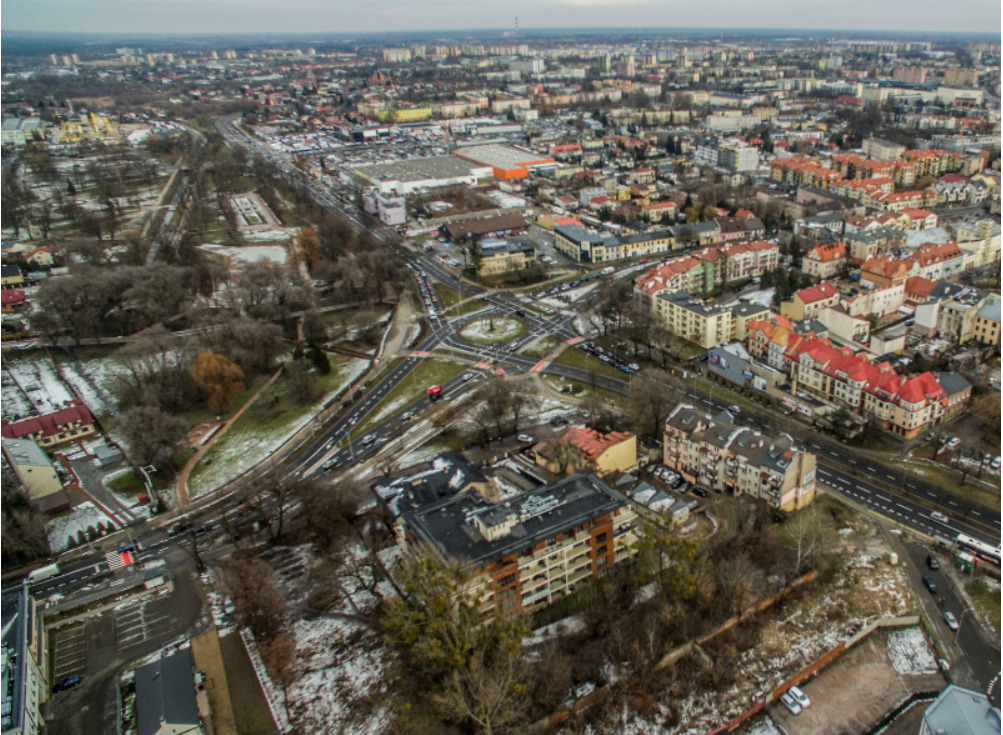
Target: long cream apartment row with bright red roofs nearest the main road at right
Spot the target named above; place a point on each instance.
(904, 406)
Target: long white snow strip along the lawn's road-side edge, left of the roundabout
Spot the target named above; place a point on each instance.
(244, 446)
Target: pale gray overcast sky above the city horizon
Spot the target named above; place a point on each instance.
(299, 17)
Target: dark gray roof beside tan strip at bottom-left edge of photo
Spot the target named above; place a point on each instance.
(165, 694)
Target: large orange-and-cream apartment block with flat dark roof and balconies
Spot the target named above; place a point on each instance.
(533, 550)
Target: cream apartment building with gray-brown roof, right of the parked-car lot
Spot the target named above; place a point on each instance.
(722, 456)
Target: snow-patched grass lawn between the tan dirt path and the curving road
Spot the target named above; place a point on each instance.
(276, 417)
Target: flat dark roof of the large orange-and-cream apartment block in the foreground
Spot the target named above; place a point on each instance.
(454, 527)
